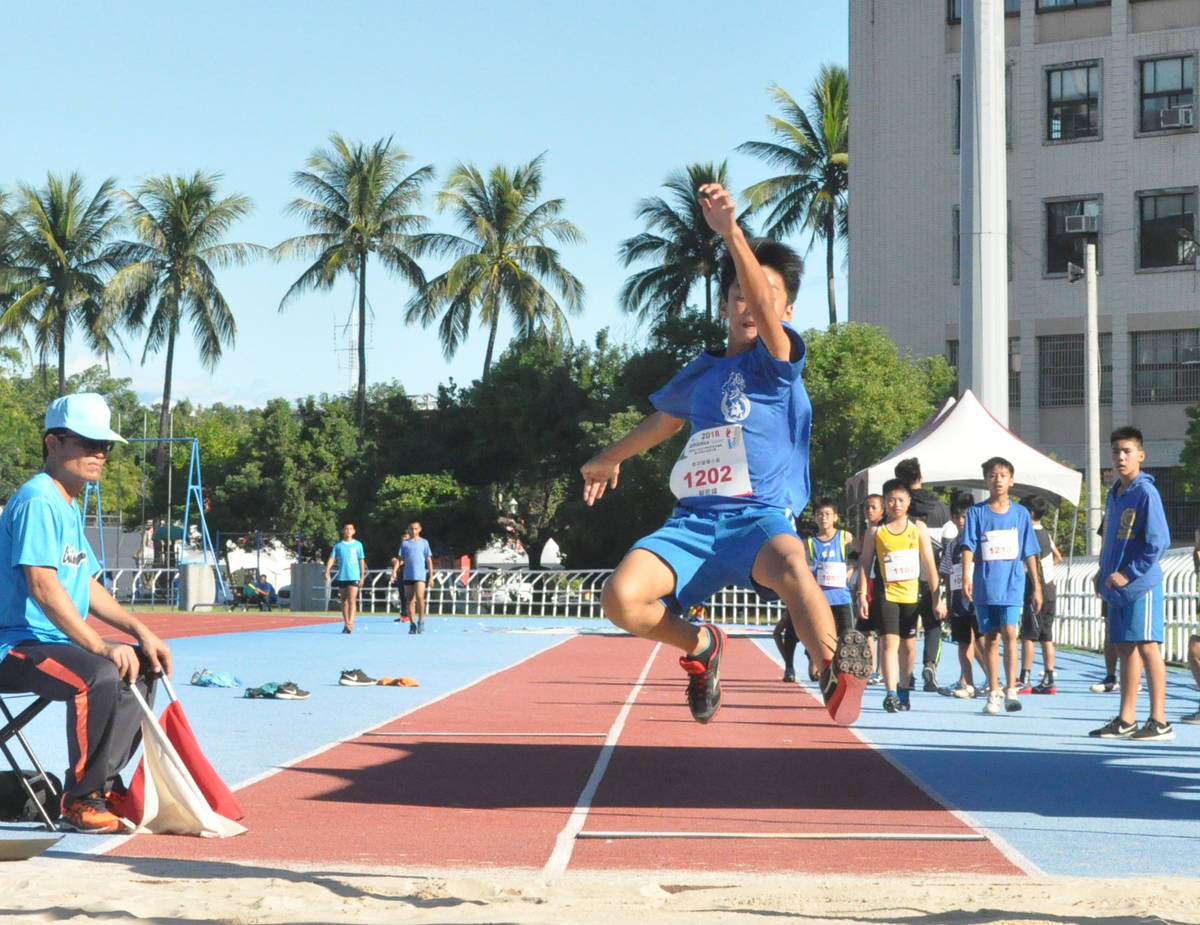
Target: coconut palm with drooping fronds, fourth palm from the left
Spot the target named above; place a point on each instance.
(503, 260)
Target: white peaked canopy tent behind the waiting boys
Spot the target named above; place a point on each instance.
(952, 446)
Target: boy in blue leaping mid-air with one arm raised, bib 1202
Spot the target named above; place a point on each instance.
(741, 478)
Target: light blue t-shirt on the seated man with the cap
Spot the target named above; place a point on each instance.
(40, 527)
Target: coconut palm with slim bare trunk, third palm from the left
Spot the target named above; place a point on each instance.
(361, 202)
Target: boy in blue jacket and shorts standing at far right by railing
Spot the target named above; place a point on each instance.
(1131, 582)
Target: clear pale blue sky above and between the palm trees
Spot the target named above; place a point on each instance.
(617, 95)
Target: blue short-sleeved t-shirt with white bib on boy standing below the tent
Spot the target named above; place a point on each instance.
(1000, 543)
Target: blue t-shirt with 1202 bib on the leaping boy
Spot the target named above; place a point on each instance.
(759, 417)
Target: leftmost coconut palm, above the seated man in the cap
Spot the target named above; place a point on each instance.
(61, 251)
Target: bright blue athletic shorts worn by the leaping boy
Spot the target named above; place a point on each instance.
(710, 551)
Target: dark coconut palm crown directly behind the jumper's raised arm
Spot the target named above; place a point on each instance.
(685, 249)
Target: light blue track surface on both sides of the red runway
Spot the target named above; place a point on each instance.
(1066, 803)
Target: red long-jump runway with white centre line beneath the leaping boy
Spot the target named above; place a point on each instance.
(771, 764)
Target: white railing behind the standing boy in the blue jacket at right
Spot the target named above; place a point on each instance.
(1081, 623)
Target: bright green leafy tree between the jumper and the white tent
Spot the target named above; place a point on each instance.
(867, 398)
